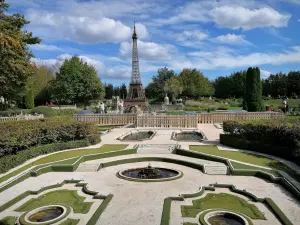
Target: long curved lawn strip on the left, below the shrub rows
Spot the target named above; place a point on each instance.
(64, 155)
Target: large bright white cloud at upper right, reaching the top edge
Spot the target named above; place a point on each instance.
(234, 14)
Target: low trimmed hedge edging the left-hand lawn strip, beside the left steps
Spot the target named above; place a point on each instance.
(64, 168)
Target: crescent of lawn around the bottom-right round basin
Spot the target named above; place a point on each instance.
(222, 201)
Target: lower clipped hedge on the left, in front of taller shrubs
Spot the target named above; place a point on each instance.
(8, 162)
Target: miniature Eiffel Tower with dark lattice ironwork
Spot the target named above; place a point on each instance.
(136, 98)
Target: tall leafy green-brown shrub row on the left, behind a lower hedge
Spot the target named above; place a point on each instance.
(20, 135)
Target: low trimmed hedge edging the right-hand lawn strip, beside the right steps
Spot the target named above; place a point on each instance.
(242, 172)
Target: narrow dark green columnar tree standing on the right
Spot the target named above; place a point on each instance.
(253, 95)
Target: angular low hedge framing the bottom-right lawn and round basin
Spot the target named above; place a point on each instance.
(268, 202)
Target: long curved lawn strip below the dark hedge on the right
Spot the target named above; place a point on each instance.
(247, 158)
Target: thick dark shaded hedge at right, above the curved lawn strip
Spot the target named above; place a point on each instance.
(279, 137)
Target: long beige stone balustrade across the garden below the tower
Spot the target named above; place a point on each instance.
(169, 121)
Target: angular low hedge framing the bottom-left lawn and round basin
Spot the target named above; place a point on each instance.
(78, 183)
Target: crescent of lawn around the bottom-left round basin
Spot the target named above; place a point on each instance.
(65, 197)
